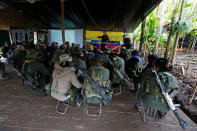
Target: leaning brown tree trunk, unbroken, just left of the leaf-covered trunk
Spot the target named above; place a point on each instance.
(170, 32)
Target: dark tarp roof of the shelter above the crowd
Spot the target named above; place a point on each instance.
(119, 15)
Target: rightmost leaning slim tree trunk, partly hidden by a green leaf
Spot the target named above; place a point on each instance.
(177, 35)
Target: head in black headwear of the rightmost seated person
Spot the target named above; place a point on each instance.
(163, 65)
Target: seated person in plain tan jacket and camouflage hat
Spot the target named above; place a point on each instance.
(63, 79)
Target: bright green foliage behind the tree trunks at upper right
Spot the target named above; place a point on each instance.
(188, 24)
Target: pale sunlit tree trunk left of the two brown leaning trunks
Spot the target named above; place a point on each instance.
(160, 24)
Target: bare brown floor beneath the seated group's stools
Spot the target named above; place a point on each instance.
(20, 111)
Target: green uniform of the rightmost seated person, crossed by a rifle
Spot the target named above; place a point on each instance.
(151, 93)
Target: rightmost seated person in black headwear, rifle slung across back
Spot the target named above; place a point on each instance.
(150, 91)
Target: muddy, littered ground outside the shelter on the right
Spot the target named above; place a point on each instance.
(187, 82)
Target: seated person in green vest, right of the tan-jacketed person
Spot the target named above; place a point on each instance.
(97, 73)
